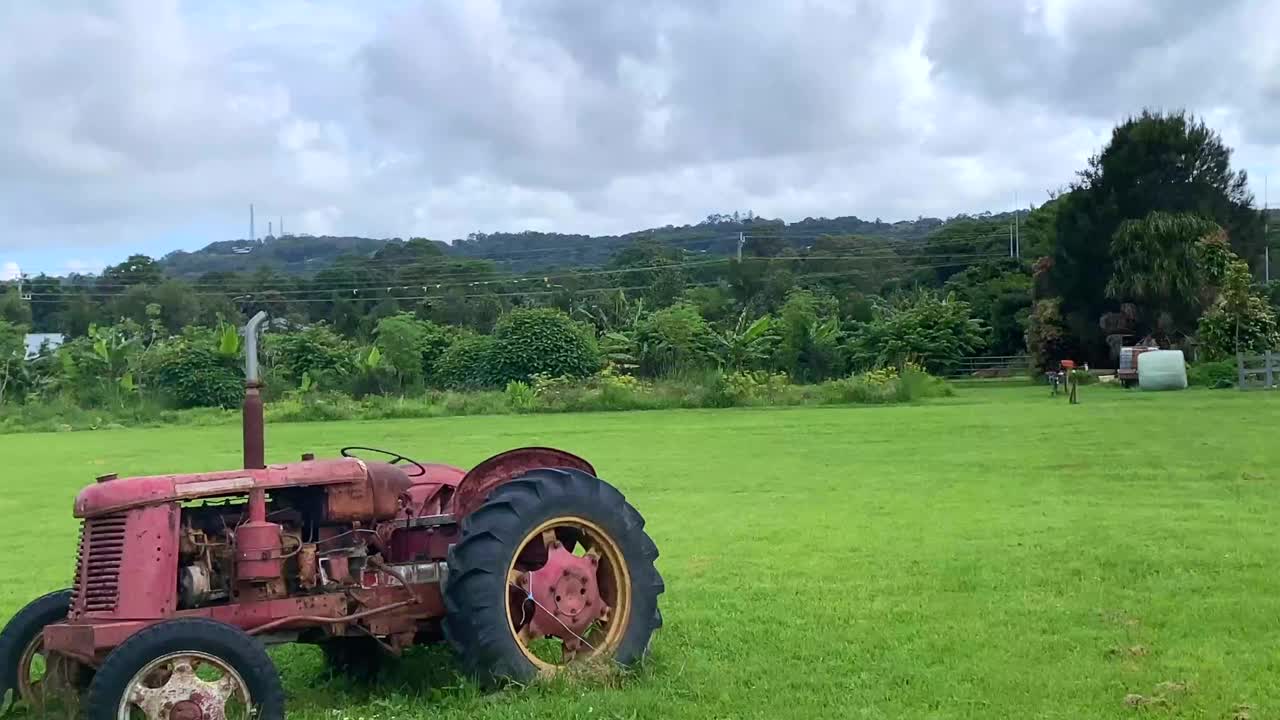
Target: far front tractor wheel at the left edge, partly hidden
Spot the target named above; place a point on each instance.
(38, 678)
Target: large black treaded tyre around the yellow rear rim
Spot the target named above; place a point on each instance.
(478, 628)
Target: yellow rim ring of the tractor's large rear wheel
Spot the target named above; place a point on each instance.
(614, 581)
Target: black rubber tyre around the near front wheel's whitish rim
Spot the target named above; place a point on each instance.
(246, 655)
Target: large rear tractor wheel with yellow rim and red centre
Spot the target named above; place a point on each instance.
(555, 568)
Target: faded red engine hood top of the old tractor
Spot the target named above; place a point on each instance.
(112, 494)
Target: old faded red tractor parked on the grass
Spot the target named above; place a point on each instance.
(523, 564)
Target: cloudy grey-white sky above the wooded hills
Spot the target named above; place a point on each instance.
(152, 125)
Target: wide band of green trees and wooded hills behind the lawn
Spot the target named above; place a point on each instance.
(1158, 238)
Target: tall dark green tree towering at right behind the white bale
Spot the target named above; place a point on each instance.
(1155, 162)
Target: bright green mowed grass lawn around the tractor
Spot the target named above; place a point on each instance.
(994, 555)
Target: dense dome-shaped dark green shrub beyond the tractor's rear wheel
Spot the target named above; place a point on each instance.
(541, 341)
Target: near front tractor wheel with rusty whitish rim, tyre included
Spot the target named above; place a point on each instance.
(158, 660)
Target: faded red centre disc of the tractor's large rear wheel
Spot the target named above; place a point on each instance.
(566, 595)
